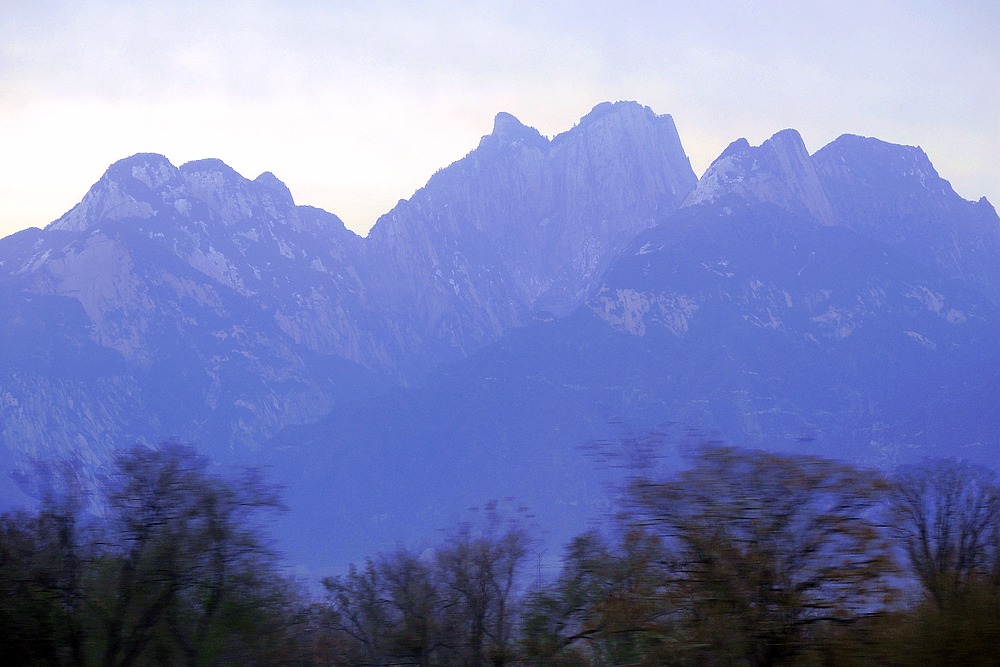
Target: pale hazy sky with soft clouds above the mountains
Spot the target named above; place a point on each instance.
(355, 104)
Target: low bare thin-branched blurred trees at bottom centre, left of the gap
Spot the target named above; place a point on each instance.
(457, 606)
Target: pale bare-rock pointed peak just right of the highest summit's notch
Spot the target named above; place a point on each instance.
(779, 171)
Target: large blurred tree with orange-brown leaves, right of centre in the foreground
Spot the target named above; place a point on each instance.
(767, 548)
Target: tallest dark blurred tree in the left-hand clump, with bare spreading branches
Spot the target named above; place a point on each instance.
(183, 558)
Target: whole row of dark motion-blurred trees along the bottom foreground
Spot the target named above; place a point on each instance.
(744, 558)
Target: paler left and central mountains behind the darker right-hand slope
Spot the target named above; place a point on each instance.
(194, 281)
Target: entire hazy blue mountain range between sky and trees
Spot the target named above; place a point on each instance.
(534, 308)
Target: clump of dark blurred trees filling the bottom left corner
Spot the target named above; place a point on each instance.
(175, 571)
